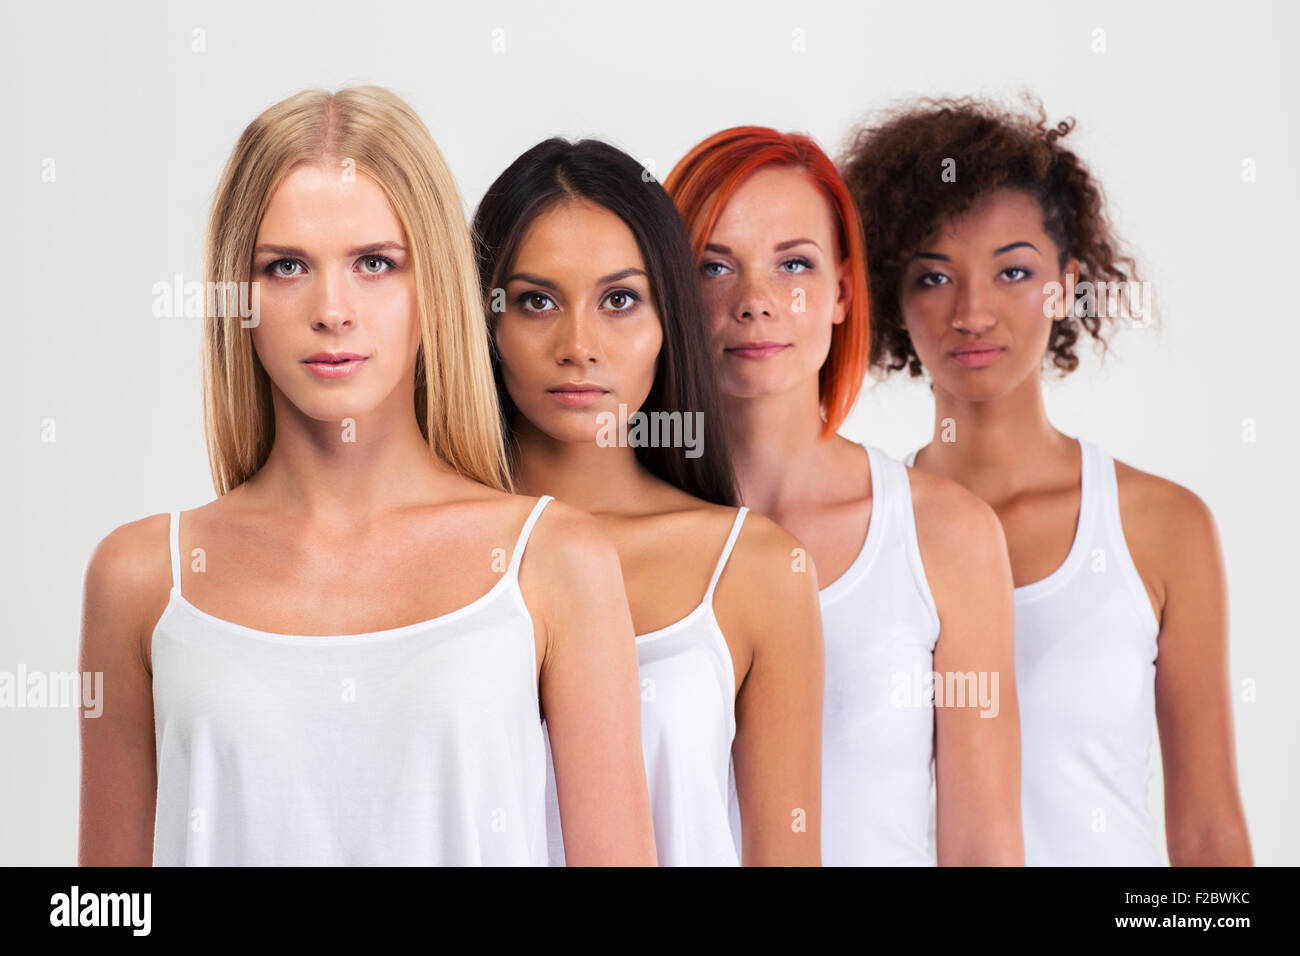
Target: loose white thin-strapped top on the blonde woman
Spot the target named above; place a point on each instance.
(411, 746)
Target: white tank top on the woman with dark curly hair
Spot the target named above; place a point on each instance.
(1086, 641)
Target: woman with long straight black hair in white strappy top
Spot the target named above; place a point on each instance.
(610, 405)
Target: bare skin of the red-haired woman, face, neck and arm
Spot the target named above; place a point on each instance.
(774, 248)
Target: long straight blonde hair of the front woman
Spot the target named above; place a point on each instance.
(456, 397)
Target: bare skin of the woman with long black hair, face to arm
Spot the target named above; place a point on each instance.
(580, 310)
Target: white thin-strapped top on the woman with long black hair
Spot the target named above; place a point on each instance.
(688, 723)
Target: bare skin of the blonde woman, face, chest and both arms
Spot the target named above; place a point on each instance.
(333, 538)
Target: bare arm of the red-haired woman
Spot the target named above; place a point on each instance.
(977, 746)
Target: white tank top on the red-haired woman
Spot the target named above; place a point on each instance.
(881, 626)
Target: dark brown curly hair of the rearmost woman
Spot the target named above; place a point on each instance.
(894, 170)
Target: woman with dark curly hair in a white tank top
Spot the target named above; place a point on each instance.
(990, 250)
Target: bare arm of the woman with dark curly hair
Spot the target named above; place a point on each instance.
(1204, 821)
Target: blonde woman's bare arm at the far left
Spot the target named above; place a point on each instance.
(119, 777)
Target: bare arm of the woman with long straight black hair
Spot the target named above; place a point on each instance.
(770, 602)
